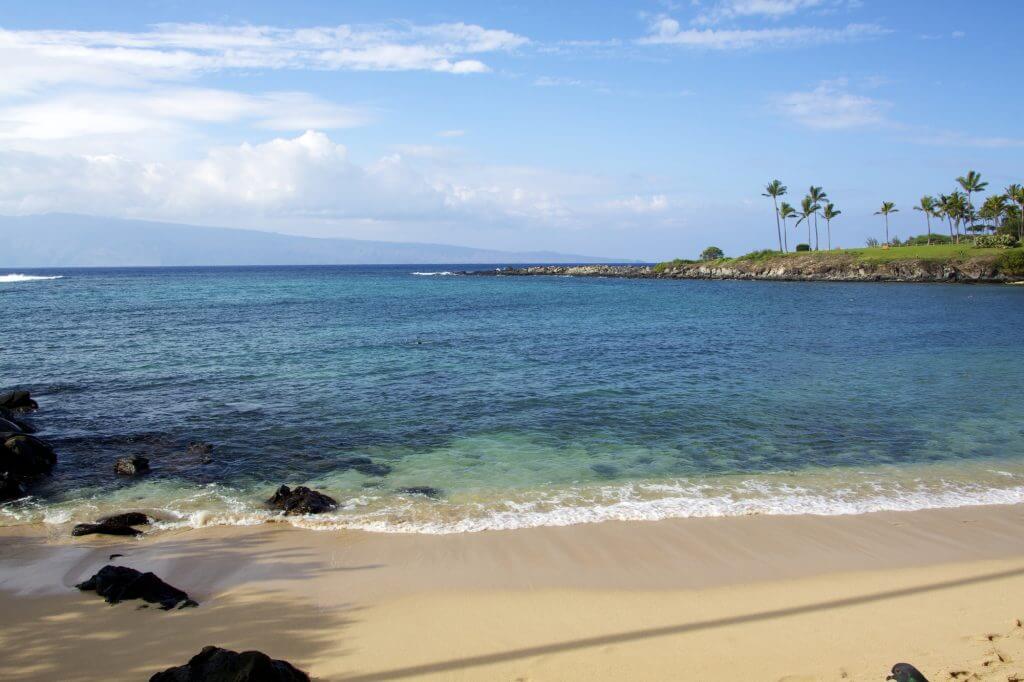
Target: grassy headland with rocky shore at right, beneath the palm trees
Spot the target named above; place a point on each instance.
(952, 263)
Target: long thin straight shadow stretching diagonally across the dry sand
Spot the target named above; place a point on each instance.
(635, 635)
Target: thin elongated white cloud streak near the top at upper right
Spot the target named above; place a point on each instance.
(667, 31)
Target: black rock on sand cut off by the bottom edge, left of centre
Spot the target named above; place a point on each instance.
(217, 665)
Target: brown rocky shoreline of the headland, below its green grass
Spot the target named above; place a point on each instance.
(793, 268)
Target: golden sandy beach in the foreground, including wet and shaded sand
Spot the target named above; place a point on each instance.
(753, 599)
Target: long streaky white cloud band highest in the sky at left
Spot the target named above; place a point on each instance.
(32, 61)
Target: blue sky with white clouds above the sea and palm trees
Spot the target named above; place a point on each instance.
(641, 131)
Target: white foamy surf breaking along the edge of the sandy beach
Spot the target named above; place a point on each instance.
(215, 505)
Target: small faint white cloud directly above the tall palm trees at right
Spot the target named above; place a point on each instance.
(831, 107)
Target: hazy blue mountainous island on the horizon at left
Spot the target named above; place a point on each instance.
(79, 241)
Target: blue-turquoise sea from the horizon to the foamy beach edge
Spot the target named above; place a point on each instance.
(527, 401)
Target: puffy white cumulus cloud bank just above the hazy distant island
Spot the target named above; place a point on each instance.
(309, 178)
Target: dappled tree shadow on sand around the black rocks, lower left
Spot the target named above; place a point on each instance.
(59, 633)
